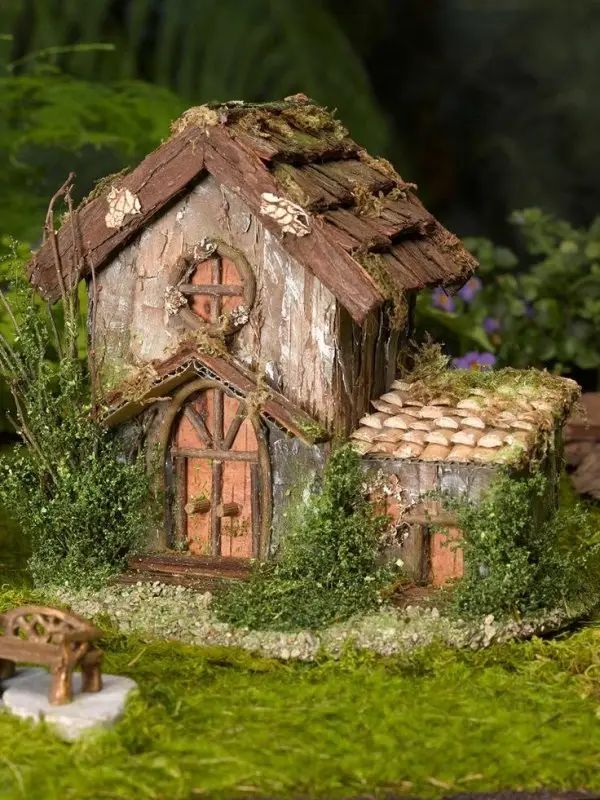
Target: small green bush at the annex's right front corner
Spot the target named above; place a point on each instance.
(520, 556)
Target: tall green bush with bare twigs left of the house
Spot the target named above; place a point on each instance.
(68, 486)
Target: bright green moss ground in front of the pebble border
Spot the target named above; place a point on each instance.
(220, 723)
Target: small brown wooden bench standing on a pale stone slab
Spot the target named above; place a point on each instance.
(53, 638)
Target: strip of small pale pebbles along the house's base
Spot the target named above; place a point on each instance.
(163, 611)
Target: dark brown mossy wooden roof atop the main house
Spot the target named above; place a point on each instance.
(363, 231)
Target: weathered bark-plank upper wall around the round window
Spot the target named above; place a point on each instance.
(305, 341)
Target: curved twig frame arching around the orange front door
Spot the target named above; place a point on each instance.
(170, 419)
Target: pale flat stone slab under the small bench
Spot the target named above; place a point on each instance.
(26, 696)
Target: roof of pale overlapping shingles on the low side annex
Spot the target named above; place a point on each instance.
(499, 425)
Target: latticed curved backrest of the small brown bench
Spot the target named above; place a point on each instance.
(41, 624)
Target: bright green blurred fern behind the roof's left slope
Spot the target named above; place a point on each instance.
(53, 123)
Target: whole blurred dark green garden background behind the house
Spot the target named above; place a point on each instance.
(72, 99)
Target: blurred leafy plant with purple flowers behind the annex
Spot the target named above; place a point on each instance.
(540, 308)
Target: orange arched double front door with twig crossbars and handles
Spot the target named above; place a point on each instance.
(218, 459)
